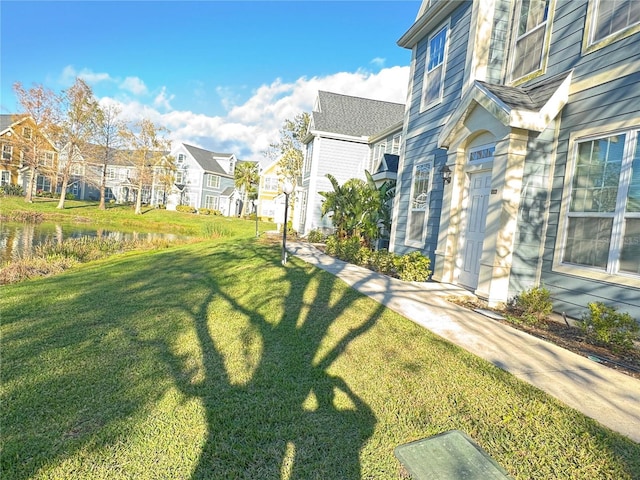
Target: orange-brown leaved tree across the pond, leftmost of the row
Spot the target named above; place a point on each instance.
(40, 105)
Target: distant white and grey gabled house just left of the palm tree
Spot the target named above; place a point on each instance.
(205, 179)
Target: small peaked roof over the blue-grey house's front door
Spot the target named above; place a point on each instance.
(529, 108)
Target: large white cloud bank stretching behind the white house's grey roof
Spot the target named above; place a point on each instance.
(248, 128)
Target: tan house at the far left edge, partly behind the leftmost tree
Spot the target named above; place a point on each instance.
(12, 168)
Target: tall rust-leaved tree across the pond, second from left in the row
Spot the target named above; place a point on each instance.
(79, 114)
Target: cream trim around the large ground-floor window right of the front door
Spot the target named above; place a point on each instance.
(593, 273)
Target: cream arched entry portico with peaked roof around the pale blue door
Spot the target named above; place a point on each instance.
(488, 137)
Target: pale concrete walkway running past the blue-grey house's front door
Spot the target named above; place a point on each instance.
(610, 397)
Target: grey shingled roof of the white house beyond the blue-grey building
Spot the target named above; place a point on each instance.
(354, 116)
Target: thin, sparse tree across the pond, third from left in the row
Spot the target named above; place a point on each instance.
(108, 140)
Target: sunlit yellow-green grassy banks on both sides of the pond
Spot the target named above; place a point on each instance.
(55, 256)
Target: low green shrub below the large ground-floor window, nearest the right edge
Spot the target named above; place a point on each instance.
(606, 325)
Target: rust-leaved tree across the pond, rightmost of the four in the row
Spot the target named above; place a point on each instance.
(148, 147)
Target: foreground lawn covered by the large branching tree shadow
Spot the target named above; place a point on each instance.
(211, 360)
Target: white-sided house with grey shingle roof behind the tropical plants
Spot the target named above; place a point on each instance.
(346, 136)
